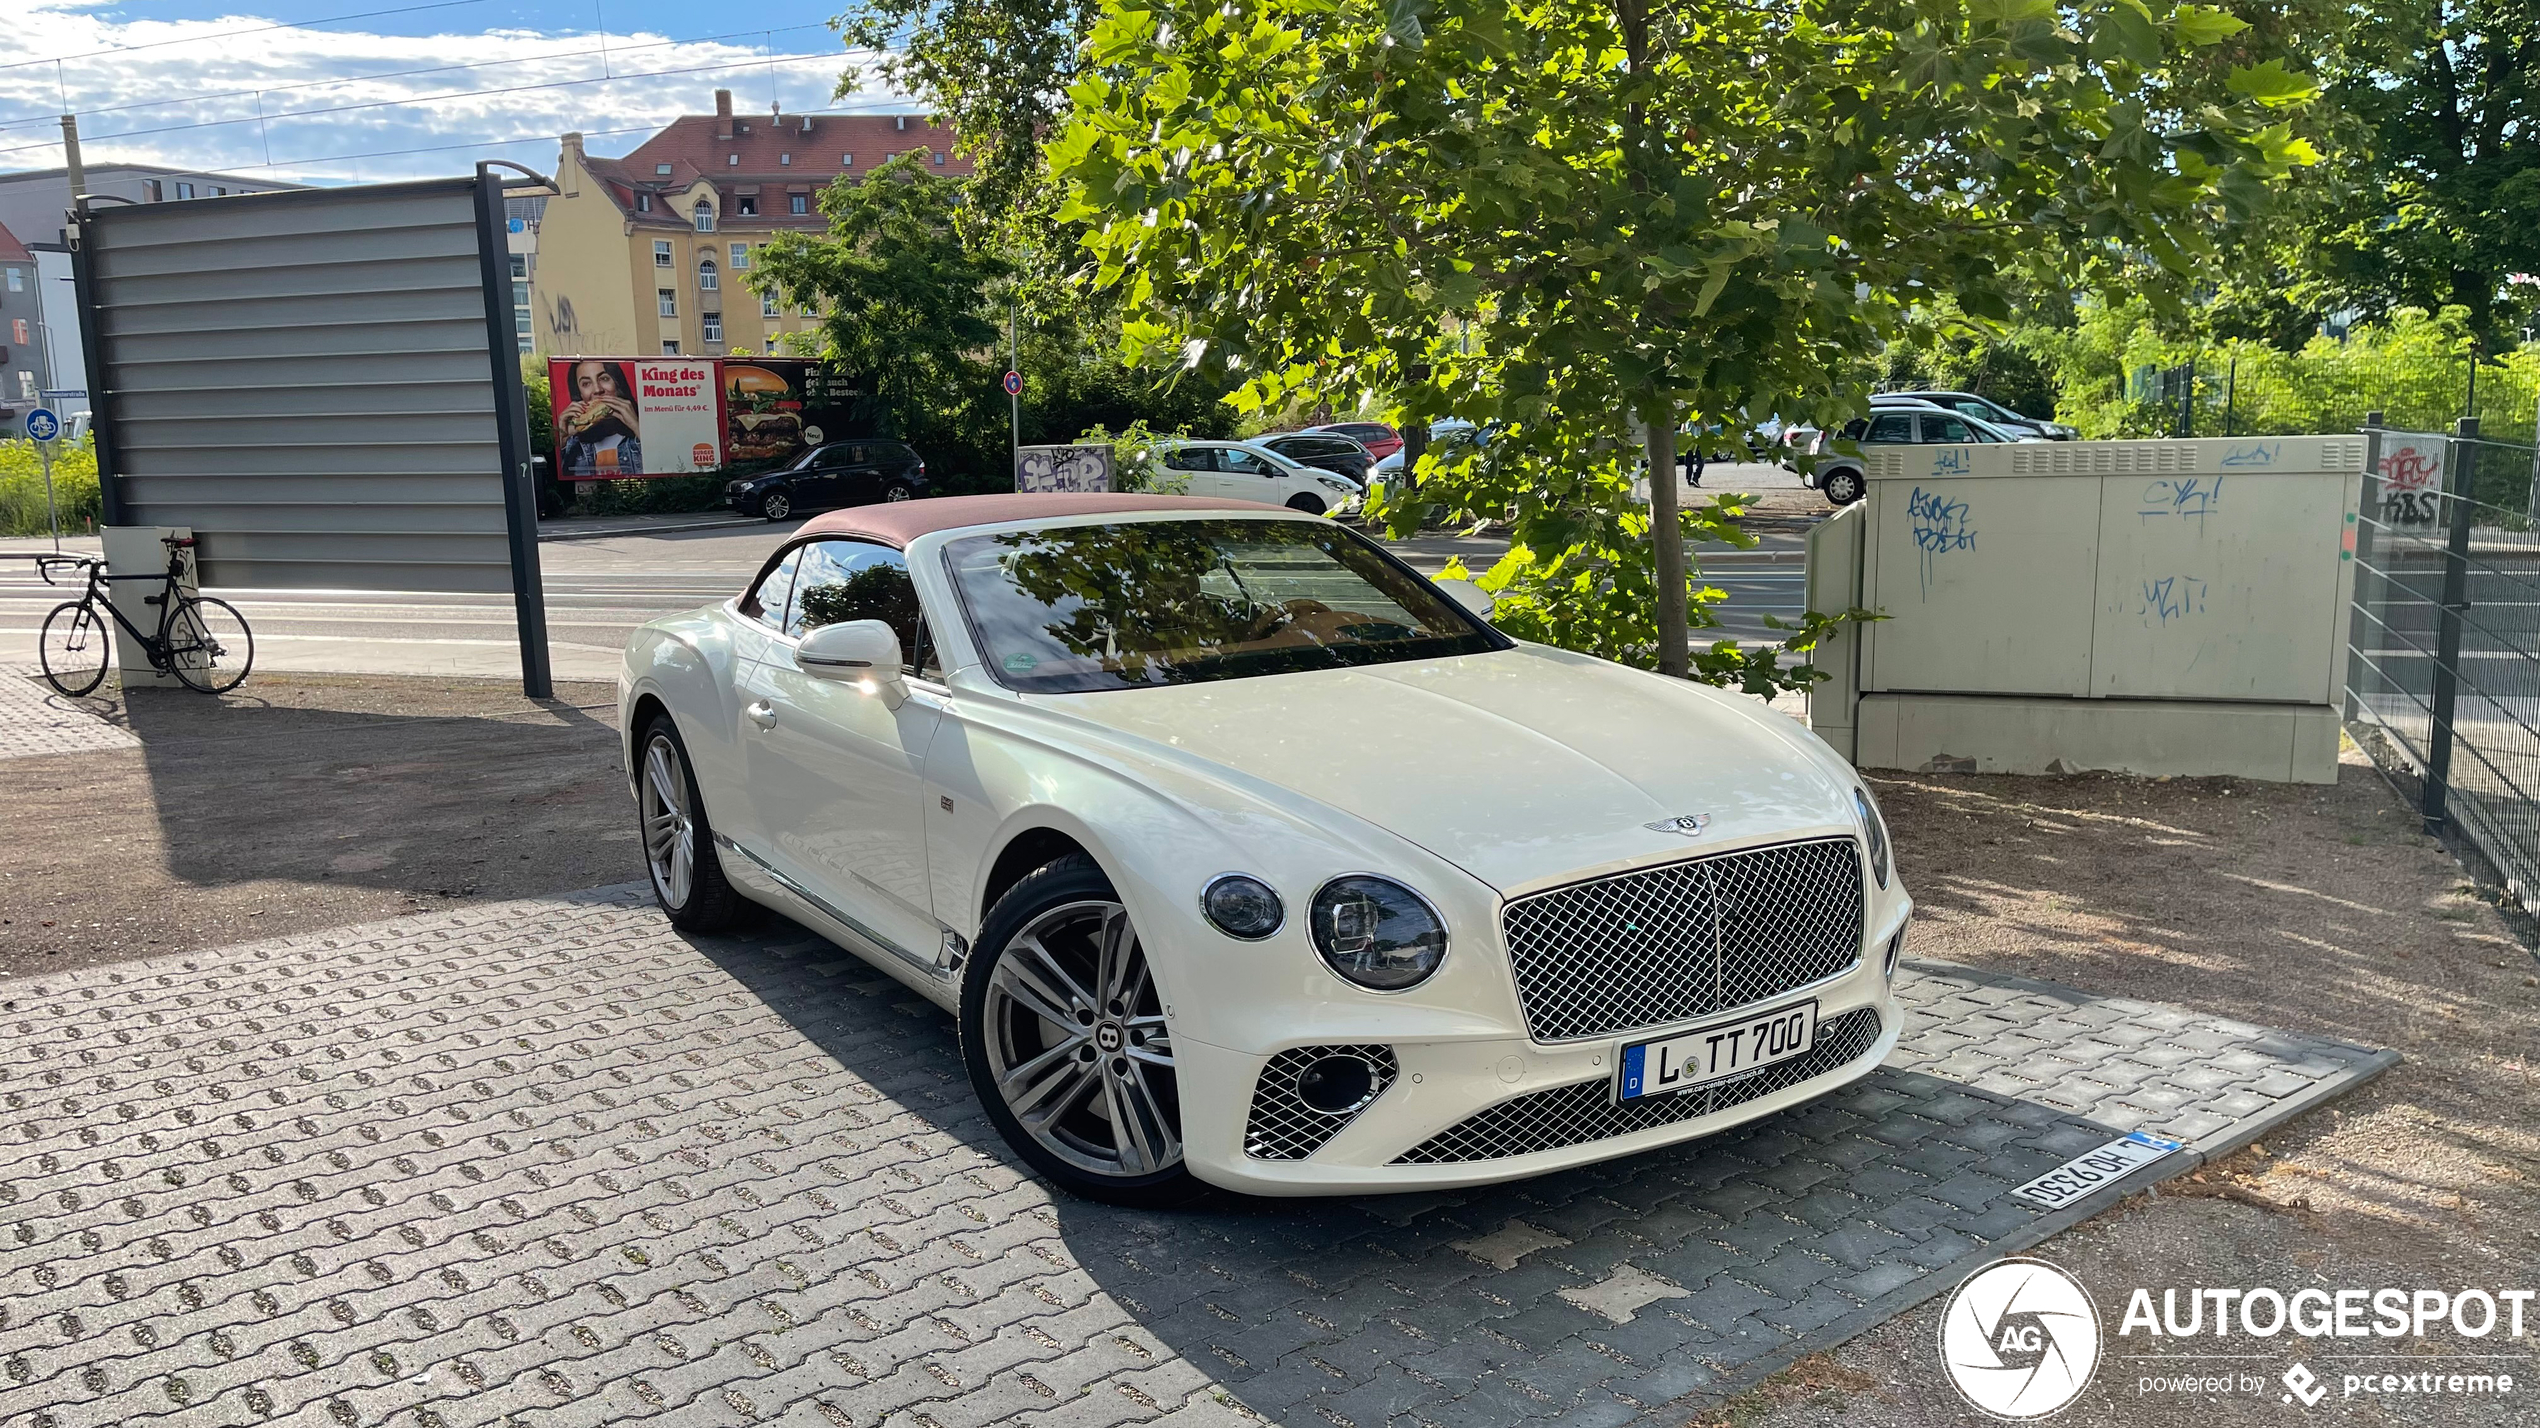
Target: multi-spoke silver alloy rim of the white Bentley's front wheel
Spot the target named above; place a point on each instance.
(1078, 1046)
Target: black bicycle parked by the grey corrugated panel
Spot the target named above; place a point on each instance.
(199, 639)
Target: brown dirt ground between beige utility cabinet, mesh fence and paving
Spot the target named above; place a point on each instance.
(2305, 908)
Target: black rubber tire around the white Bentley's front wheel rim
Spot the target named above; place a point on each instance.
(1063, 891)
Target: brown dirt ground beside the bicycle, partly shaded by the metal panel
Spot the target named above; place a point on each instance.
(298, 804)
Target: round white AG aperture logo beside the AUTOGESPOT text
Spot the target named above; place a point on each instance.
(2021, 1340)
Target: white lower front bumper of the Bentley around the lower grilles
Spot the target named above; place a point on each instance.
(1439, 1089)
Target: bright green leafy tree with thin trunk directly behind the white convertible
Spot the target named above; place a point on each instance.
(1589, 217)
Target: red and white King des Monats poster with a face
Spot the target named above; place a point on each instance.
(636, 418)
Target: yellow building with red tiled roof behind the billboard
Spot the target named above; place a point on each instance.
(652, 253)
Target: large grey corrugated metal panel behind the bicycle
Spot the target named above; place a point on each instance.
(306, 380)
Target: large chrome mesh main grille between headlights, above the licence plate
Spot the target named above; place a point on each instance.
(1680, 941)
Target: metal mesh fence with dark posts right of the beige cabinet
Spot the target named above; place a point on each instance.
(2445, 649)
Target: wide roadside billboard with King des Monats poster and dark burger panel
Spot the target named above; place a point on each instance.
(629, 418)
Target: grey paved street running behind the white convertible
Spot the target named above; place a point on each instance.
(601, 588)
